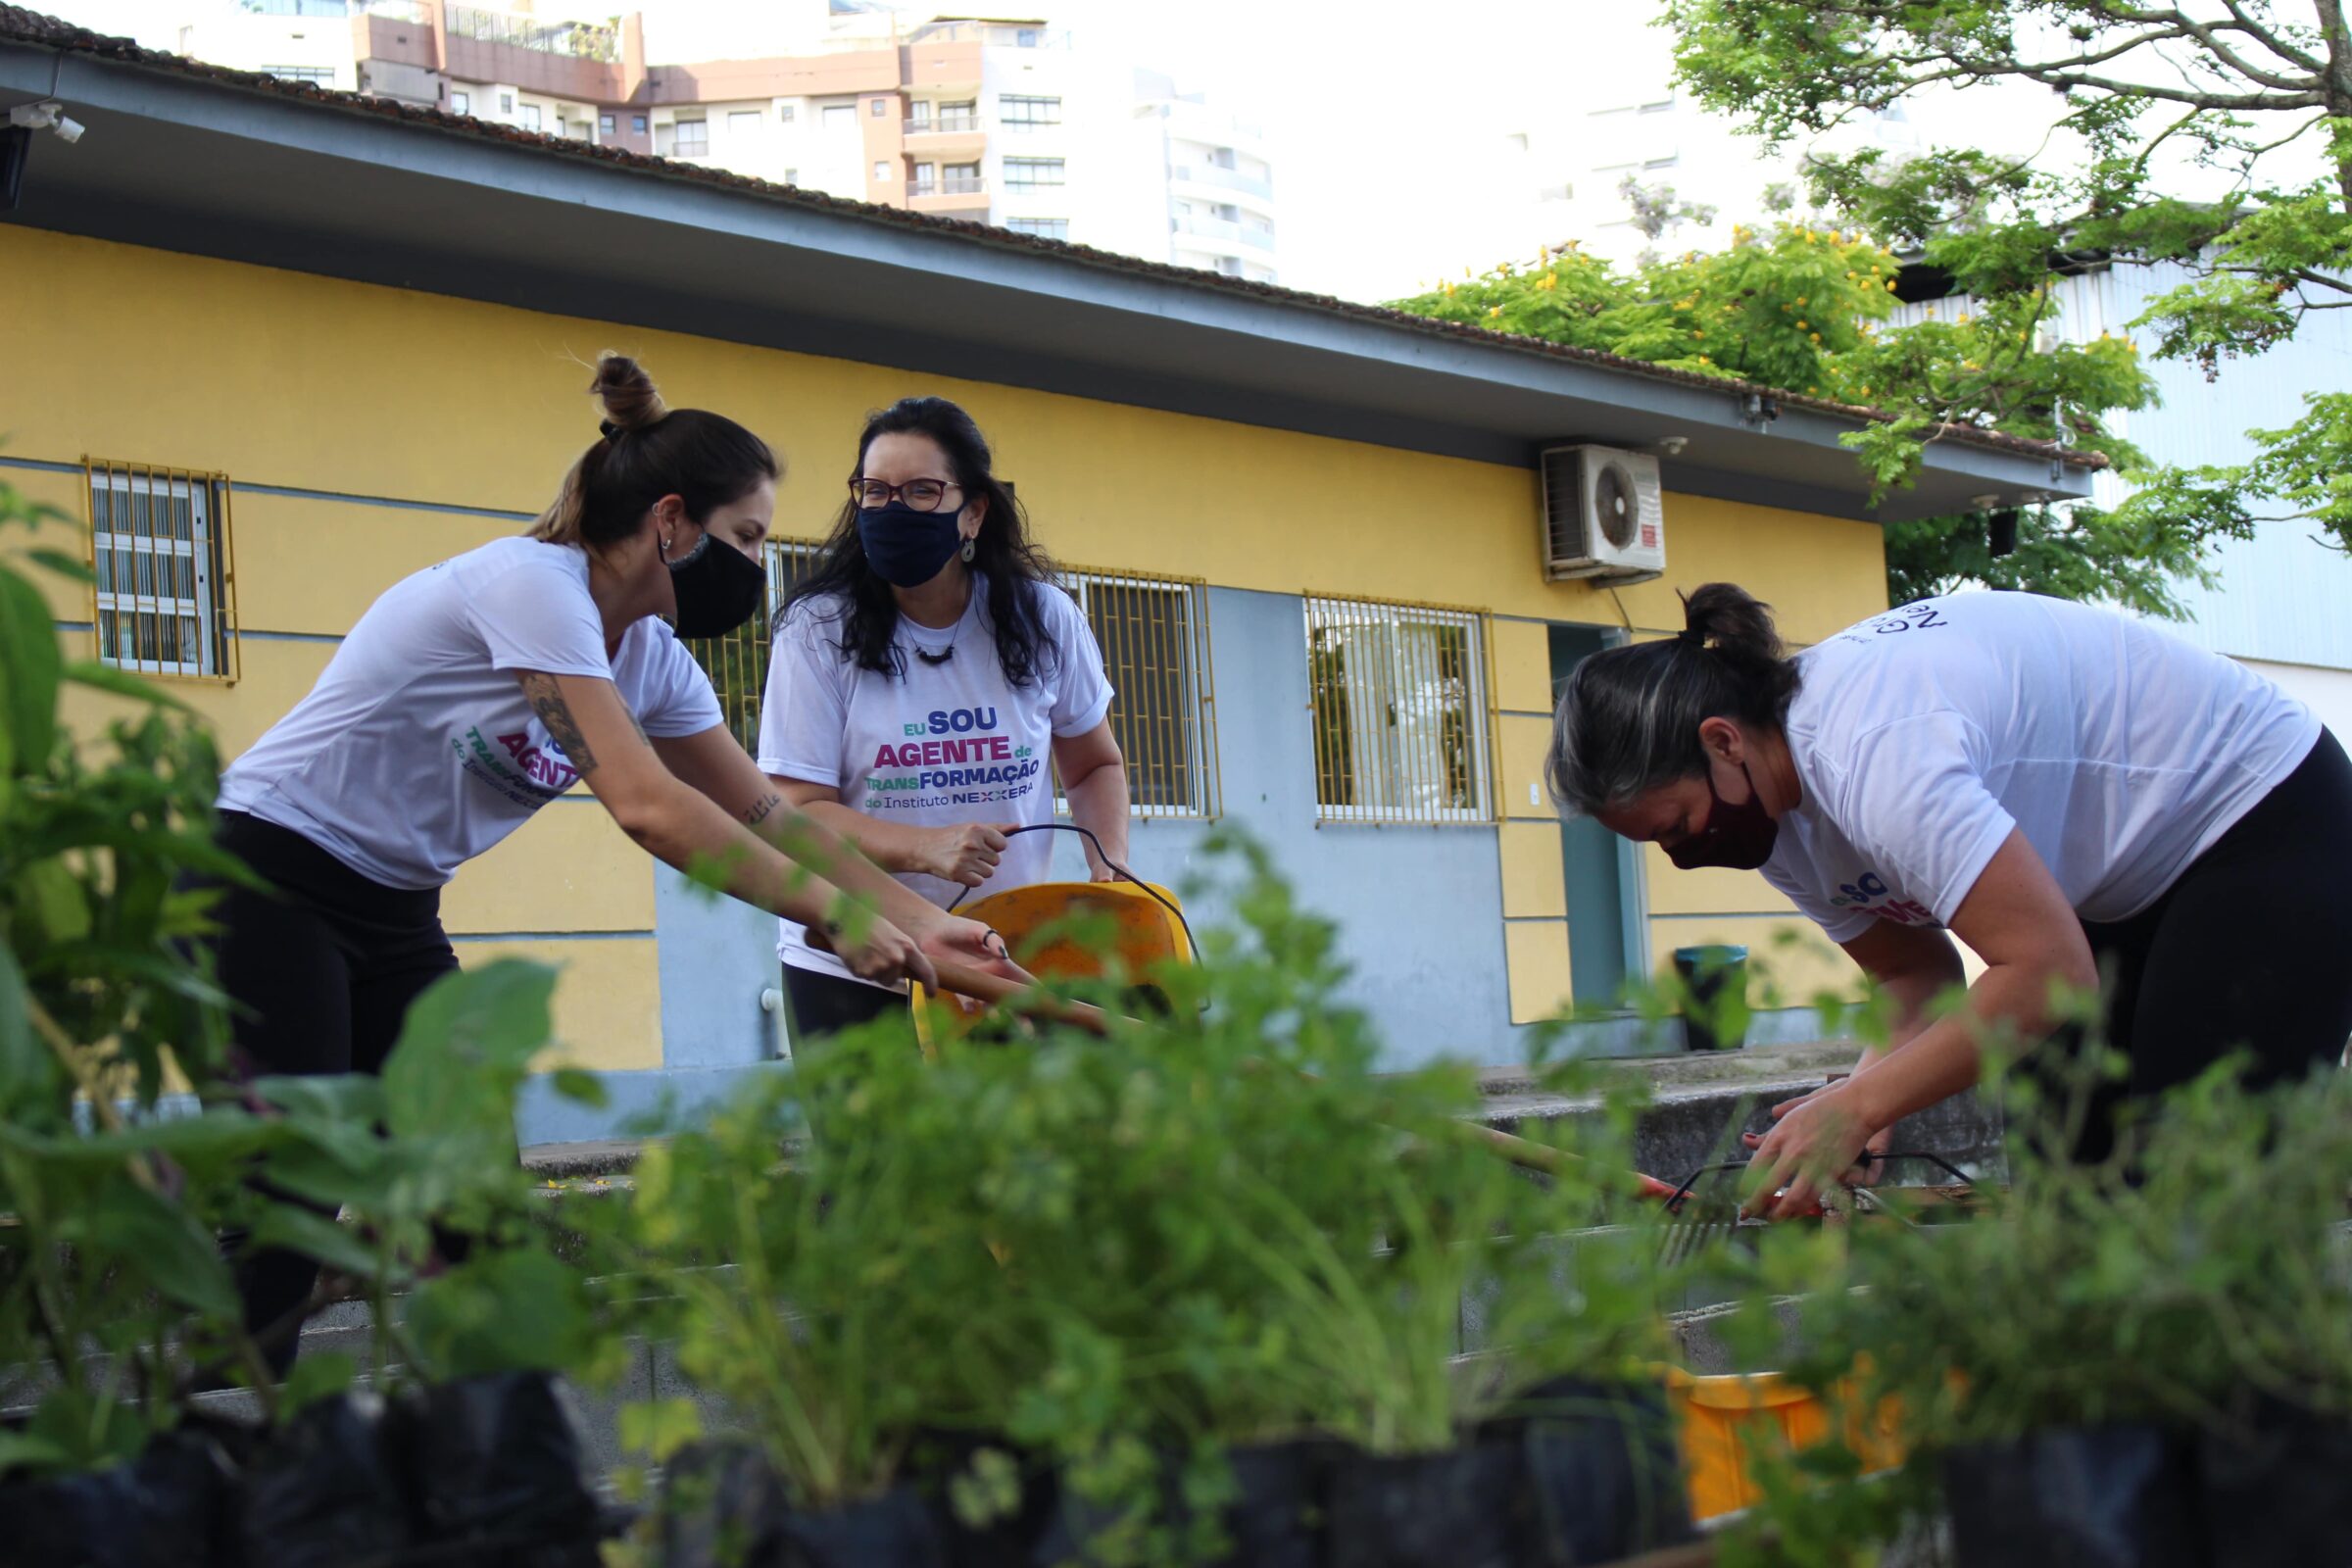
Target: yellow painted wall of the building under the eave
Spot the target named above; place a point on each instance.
(385, 396)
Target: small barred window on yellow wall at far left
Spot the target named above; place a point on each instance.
(161, 575)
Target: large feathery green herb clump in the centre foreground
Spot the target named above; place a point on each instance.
(1128, 1257)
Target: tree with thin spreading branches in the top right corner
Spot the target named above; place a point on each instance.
(2210, 135)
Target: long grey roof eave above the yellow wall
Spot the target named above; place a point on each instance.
(342, 187)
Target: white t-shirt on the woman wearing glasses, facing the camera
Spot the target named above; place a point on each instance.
(940, 744)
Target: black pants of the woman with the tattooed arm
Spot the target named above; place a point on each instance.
(323, 974)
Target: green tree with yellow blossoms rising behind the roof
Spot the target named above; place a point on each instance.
(1800, 307)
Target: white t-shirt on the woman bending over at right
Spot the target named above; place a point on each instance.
(1925, 735)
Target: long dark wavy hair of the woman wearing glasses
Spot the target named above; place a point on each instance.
(1003, 556)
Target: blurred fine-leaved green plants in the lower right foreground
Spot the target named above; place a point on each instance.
(2165, 1285)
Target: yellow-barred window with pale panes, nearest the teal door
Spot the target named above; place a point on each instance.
(1398, 702)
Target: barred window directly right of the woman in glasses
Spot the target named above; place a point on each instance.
(1163, 711)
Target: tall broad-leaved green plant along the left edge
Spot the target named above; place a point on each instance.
(100, 1003)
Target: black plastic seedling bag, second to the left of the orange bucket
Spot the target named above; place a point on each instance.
(1466, 1508)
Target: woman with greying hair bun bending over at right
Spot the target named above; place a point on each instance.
(2076, 796)
